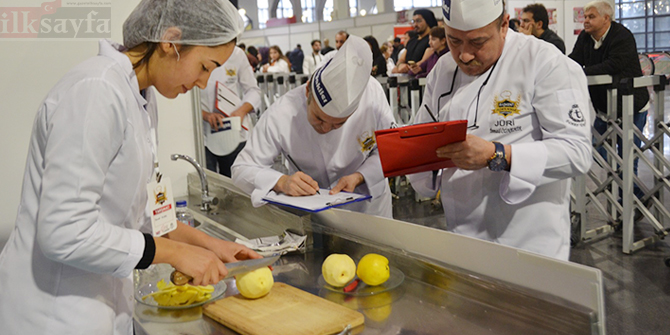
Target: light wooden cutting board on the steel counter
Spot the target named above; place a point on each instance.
(286, 310)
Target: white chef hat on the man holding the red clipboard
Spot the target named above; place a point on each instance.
(469, 15)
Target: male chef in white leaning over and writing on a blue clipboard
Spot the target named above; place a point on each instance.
(327, 127)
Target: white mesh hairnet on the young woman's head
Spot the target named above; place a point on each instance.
(201, 22)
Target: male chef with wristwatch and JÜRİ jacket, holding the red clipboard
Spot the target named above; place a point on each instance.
(527, 107)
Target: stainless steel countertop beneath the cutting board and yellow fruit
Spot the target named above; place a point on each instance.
(433, 299)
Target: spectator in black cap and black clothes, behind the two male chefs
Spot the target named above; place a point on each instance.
(422, 21)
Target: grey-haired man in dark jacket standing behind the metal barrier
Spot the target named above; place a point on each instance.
(607, 47)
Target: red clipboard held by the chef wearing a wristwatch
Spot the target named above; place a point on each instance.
(411, 149)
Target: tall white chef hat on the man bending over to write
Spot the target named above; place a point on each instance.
(338, 85)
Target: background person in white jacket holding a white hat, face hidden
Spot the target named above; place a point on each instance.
(236, 75)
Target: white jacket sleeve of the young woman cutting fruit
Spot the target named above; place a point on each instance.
(85, 131)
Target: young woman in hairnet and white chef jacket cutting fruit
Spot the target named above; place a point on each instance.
(82, 224)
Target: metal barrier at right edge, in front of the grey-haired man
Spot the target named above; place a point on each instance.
(613, 176)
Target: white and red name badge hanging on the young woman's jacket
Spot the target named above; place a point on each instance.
(161, 207)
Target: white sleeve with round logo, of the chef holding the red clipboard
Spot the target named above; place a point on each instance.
(564, 150)
